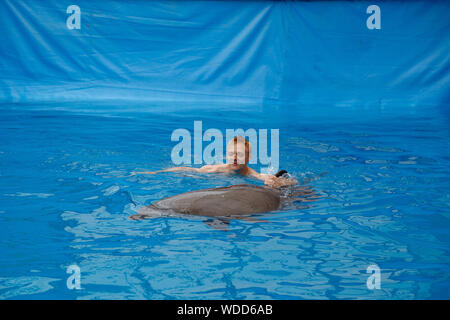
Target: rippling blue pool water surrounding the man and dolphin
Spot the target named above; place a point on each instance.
(65, 198)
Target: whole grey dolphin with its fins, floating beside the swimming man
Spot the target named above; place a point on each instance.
(223, 204)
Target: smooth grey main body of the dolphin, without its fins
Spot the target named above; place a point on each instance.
(232, 201)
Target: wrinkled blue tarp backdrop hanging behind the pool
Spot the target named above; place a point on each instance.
(306, 53)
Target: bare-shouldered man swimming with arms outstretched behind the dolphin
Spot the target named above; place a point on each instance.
(238, 155)
